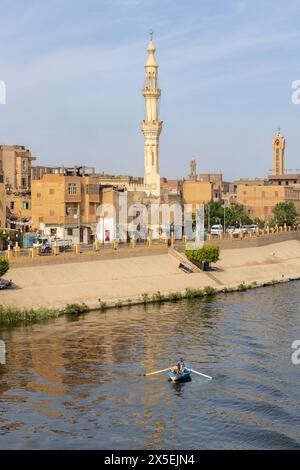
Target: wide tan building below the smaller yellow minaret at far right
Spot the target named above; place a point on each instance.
(260, 200)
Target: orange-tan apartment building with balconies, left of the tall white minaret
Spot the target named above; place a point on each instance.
(65, 206)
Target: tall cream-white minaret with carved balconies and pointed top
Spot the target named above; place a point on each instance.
(151, 126)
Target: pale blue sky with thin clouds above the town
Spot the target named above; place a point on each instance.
(74, 70)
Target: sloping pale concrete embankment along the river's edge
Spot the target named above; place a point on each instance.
(115, 280)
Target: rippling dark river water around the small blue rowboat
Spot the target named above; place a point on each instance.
(78, 383)
